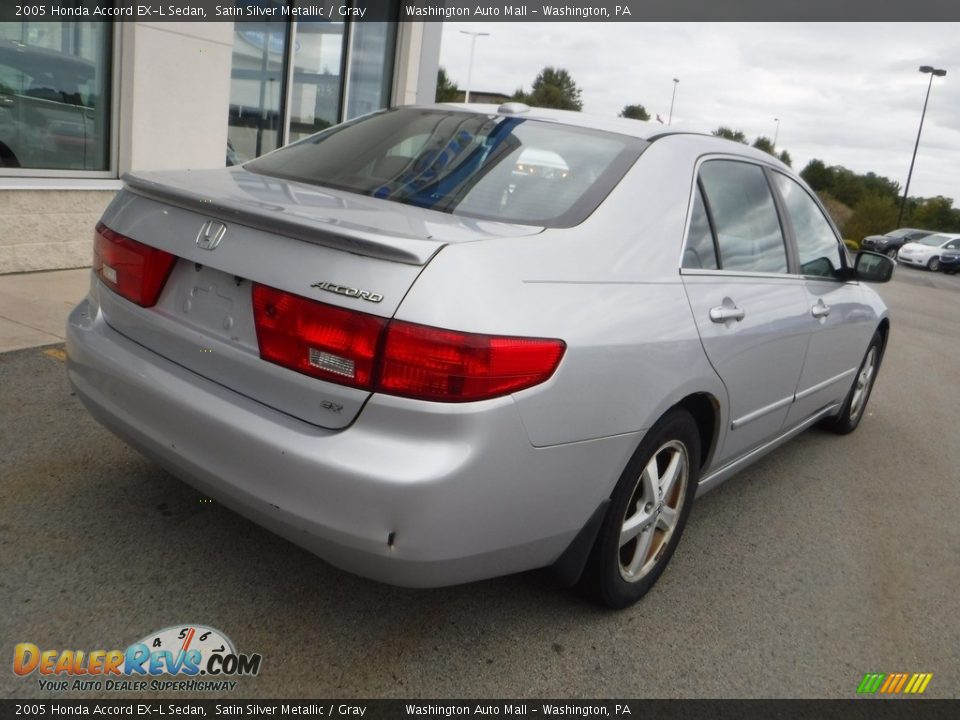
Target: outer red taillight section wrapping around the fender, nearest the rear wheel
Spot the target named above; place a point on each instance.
(449, 366)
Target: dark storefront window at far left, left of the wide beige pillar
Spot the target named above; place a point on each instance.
(55, 95)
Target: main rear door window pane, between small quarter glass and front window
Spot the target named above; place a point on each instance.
(745, 217)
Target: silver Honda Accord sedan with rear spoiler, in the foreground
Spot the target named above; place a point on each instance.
(445, 343)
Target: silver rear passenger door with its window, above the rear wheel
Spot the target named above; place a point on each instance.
(751, 312)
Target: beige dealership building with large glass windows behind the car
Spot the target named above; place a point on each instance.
(82, 103)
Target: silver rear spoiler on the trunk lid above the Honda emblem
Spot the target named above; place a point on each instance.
(406, 249)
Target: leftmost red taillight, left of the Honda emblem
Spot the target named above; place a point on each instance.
(136, 271)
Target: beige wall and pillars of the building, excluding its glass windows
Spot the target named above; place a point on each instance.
(173, 95)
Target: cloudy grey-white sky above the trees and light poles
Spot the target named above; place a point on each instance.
(849, 94)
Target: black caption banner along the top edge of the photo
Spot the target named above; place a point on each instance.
(483, 11)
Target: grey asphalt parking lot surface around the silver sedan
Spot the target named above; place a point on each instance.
(830, 558)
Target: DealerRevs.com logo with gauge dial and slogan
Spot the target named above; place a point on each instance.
(182, 658)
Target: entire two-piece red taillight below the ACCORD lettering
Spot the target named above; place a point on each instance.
(394, 357)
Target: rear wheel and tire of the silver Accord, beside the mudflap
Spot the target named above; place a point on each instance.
(654, 508)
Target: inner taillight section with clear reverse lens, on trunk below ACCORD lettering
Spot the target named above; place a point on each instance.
(315, 338)
